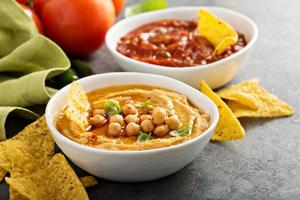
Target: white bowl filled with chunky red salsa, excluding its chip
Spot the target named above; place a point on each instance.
(216, 72)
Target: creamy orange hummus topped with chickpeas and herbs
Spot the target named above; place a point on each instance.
(143, 101)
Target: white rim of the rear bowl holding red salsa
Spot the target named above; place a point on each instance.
(217, 63)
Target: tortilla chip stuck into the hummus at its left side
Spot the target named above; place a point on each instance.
(78, 106)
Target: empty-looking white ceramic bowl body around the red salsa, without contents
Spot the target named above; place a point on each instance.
(215, 74)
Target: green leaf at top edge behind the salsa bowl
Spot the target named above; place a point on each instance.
(145, 6)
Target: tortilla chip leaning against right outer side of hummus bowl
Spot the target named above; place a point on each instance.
(228, 127)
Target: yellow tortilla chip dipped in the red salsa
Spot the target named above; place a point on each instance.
(216, 31)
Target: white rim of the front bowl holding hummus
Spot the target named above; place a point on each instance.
(56, 134)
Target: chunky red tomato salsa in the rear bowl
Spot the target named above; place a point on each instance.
(174, 43)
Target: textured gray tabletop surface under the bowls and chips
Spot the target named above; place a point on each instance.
(266, 164)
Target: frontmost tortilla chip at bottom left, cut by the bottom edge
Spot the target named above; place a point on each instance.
(56, 182)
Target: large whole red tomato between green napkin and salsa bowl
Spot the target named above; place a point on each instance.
(78, 26)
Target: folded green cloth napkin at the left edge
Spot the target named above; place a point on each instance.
(27, 59)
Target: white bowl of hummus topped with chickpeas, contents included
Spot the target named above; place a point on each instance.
(136, 127)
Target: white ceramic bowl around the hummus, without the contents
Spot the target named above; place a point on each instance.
(132, 166)
